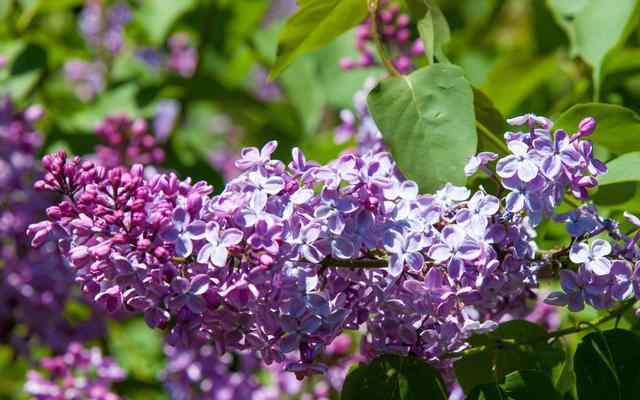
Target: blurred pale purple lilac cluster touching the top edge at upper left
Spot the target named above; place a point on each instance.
(103, 27)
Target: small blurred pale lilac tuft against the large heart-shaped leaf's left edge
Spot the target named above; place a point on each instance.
(360, 125)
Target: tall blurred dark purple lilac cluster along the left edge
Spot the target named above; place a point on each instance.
(35, 284)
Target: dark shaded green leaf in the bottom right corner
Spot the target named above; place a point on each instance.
(606, 365)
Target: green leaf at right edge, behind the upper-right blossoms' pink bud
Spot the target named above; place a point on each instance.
(618, 127)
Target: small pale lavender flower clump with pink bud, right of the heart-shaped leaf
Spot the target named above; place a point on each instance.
(543, 166)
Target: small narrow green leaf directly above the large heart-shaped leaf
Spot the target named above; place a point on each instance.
(434, 30)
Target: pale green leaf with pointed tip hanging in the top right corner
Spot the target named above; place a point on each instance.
(595, 27)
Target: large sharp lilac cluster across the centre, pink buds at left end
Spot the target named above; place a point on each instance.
(274, 266)
